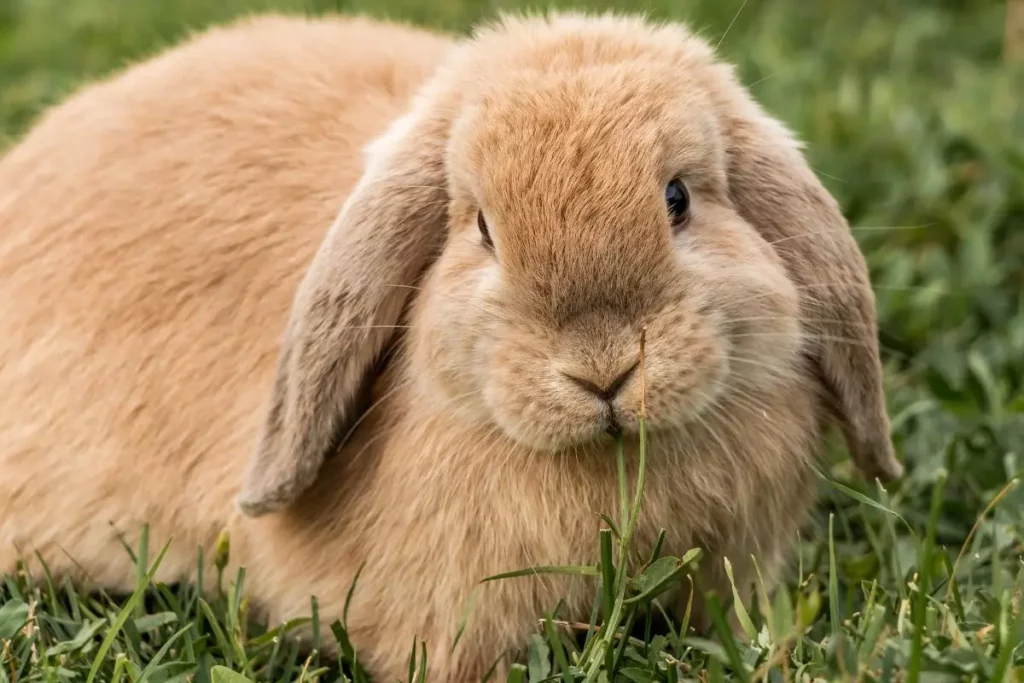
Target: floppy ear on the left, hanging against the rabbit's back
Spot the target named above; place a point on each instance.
(348, 306)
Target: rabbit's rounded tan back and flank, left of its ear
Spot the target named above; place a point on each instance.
(153, 231)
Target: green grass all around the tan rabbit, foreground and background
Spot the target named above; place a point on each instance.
(918, 129)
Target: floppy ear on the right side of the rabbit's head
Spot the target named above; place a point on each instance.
(775, 190)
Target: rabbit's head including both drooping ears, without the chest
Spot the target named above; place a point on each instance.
(563, 186)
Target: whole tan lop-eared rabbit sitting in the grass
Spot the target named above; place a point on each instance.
(370, 296)
